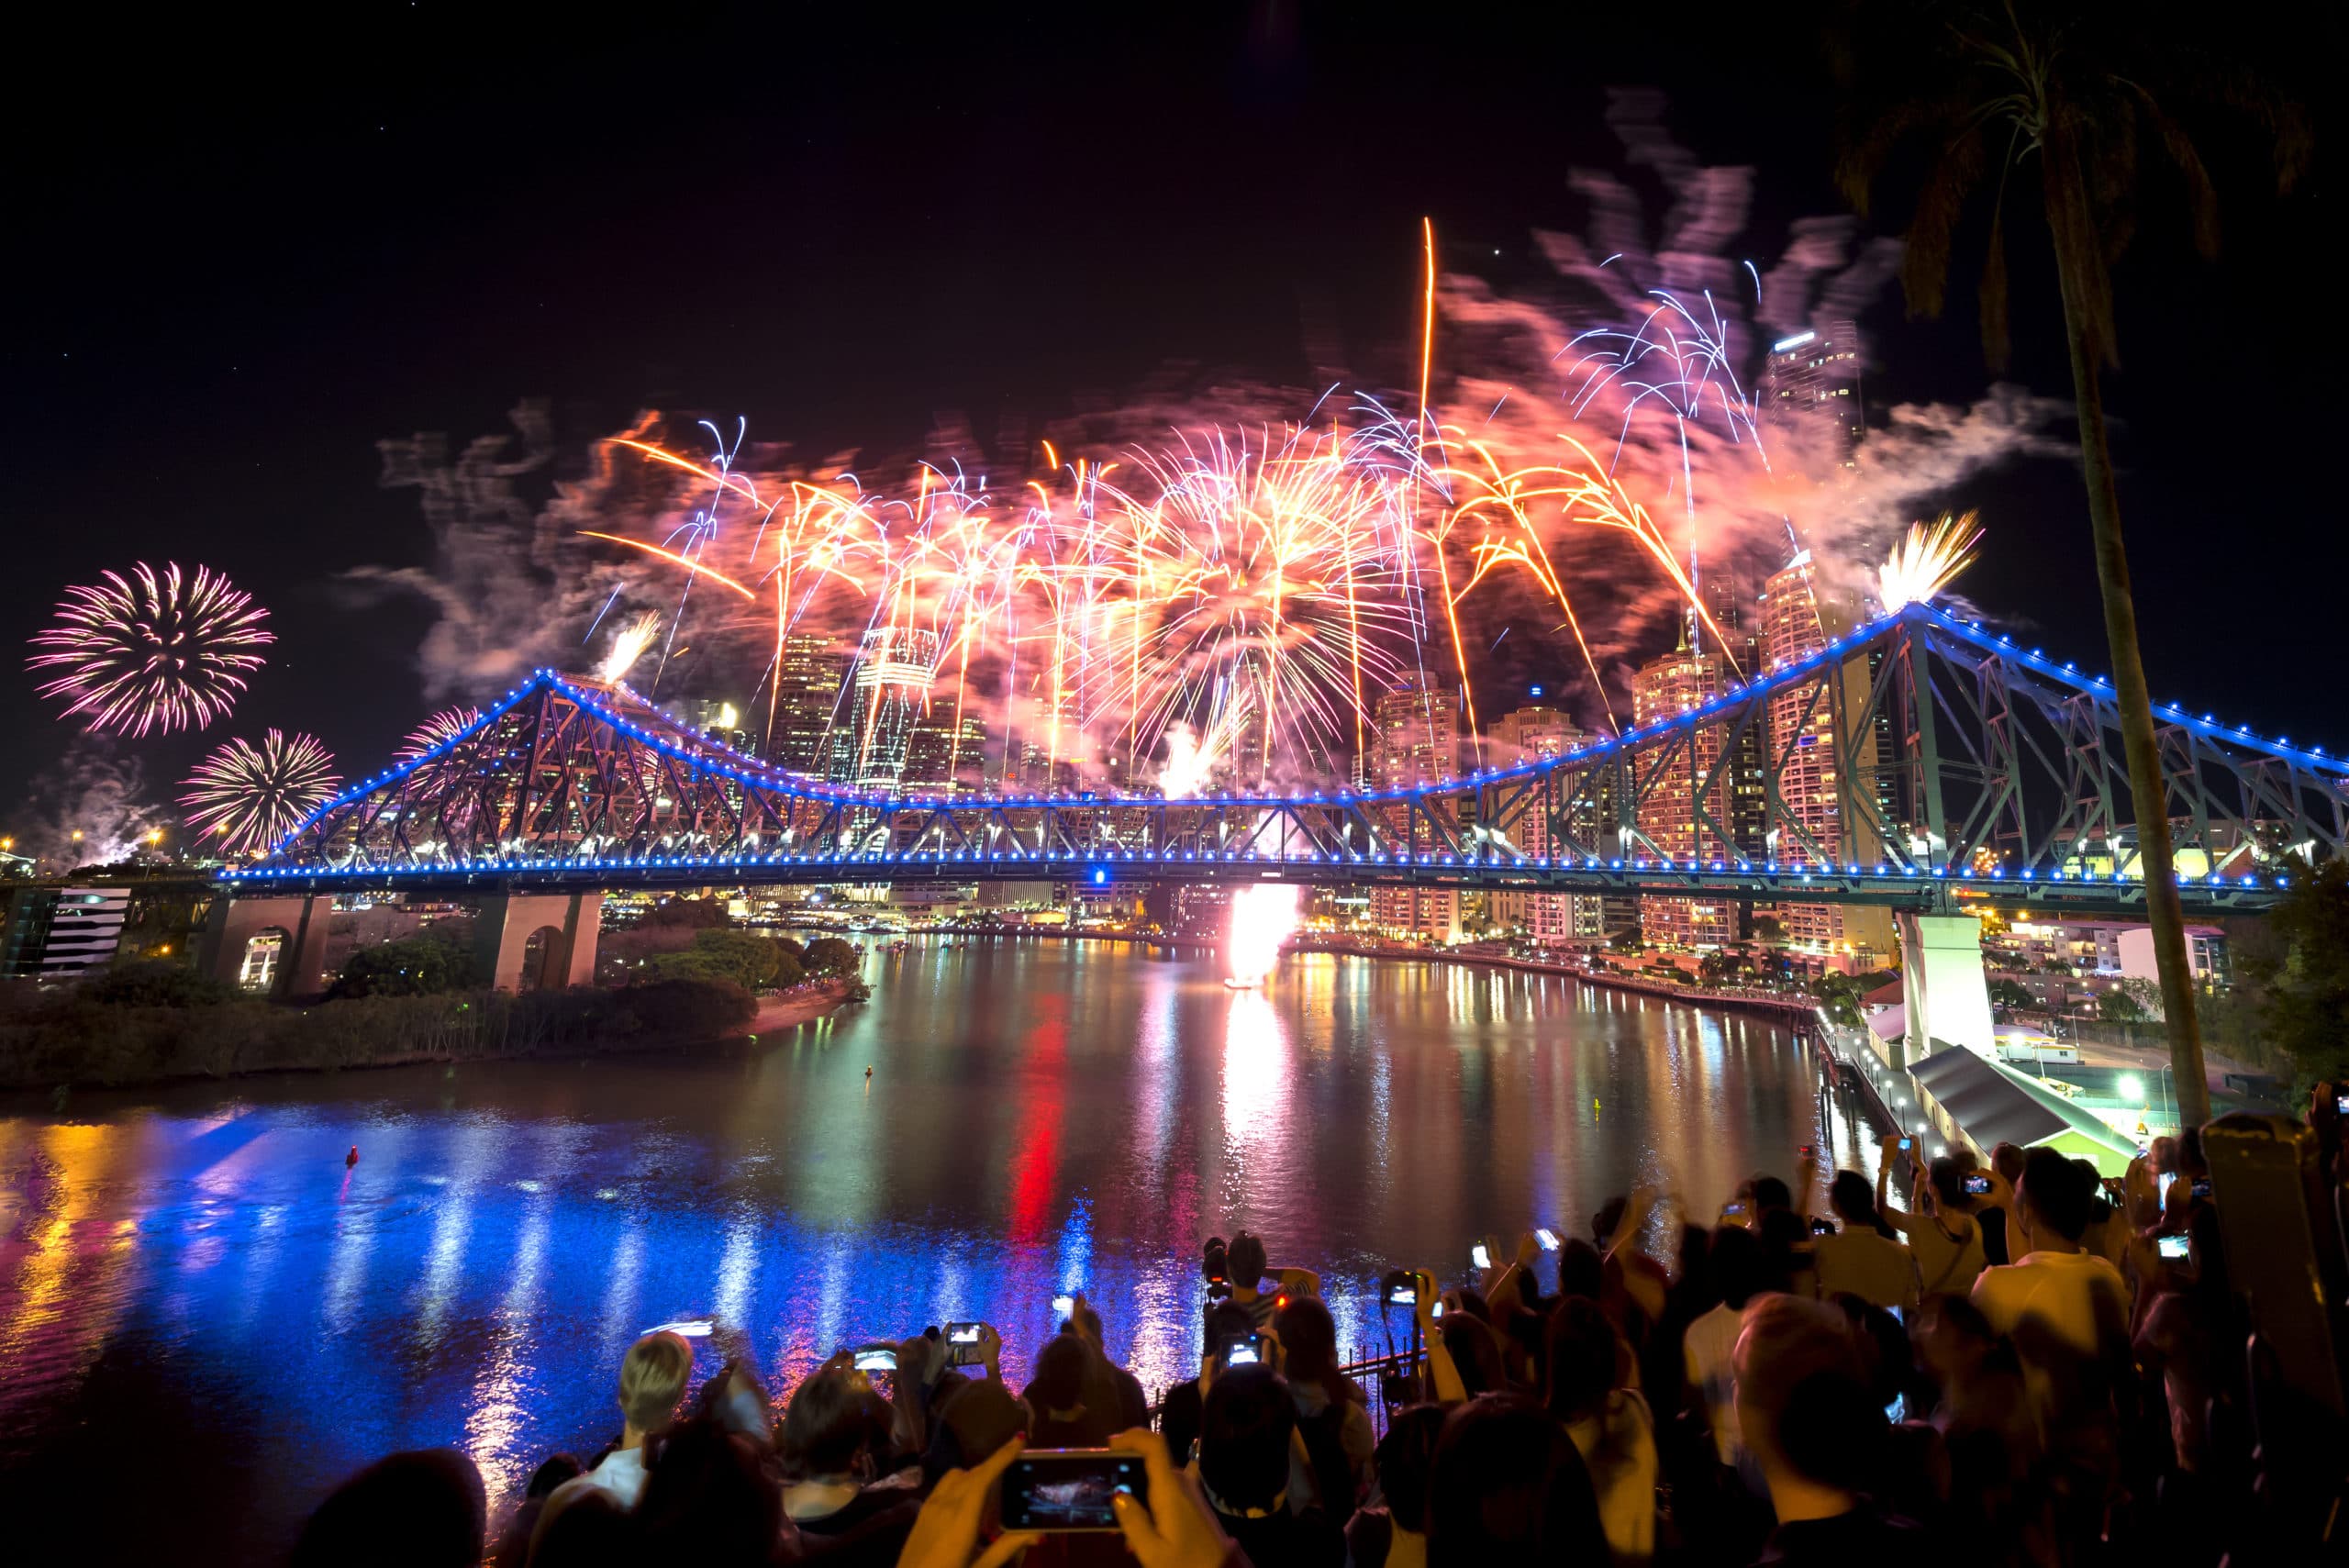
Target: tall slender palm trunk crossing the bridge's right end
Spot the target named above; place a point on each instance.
(2078, 250)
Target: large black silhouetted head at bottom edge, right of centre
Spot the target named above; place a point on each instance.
(1507, 1485)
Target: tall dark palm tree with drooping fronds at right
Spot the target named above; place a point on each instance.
(2071, 93)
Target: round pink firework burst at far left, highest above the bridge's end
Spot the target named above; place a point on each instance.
(154, 651)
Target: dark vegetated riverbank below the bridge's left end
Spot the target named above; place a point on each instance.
(180, 1027)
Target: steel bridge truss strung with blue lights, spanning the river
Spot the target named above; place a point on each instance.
(1963, 766)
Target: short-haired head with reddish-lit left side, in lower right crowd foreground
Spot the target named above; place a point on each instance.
(1801, 1393)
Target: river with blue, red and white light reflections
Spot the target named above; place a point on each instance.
(206, 1318)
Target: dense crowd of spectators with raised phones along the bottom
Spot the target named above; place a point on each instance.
(2010, 1363)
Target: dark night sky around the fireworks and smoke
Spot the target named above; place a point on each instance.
(248, 252)
